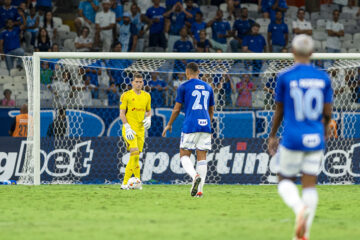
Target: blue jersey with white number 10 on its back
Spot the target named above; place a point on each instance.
(303, 90)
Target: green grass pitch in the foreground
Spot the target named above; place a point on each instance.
(168, 212)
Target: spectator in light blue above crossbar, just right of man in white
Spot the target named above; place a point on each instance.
(127, 34)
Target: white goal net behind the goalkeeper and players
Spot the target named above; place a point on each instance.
(74, 97)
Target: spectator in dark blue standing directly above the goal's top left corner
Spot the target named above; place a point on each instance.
(32, 25)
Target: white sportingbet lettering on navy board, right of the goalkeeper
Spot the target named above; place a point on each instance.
(336, 163)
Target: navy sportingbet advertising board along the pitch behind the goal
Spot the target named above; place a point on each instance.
(239, 161)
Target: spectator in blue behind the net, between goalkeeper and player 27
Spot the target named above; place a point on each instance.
(158, 89)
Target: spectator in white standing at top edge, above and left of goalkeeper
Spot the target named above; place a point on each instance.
(105, 23)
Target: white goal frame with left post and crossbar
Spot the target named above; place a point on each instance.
(37, 56)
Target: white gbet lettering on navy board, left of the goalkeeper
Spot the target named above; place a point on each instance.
(57, 163)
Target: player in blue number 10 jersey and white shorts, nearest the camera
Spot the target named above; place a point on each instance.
(303, 102)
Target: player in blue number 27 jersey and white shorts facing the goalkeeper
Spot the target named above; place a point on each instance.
(197, 97)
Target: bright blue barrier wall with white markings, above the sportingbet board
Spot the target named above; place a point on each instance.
(99, 122)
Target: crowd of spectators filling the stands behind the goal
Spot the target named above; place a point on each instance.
(173, 26)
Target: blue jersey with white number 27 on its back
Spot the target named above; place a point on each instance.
(196, 96)
